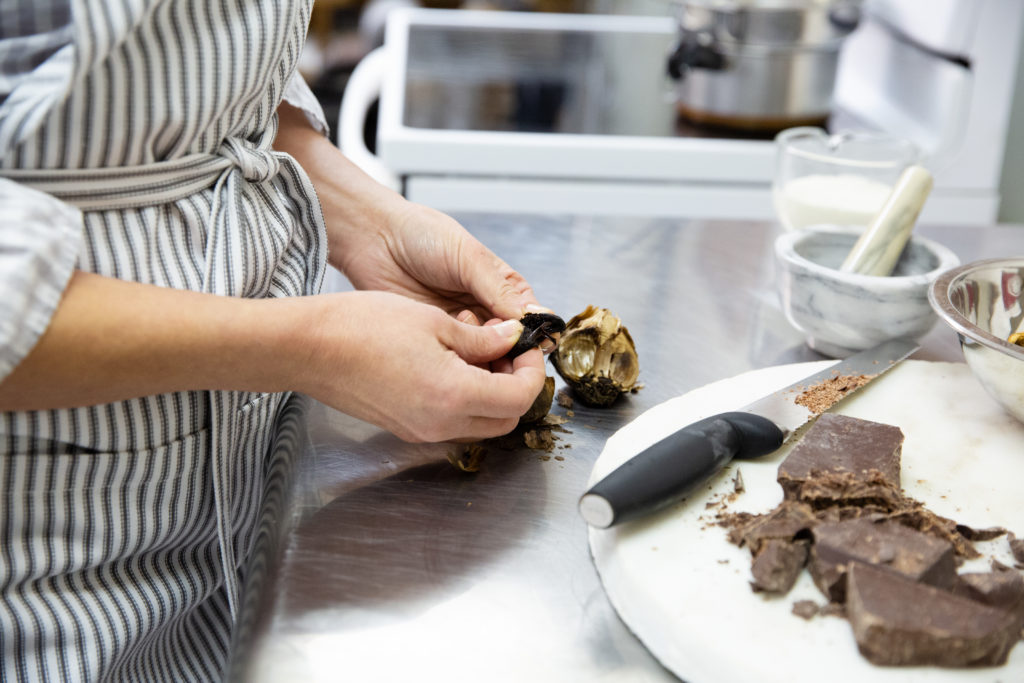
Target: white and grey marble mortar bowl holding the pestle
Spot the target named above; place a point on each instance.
(841, 313)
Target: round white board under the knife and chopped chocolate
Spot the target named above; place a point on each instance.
(682, 588)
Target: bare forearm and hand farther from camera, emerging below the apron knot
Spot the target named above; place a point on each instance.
(383, 242)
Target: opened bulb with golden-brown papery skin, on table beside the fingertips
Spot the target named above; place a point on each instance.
(596, 358)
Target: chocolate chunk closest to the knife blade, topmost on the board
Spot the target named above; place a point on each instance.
(869, 452)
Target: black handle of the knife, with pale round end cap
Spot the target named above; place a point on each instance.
(669, 471)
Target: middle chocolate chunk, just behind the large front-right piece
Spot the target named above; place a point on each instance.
(886, 545)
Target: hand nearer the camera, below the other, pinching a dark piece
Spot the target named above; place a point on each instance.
(414, 370)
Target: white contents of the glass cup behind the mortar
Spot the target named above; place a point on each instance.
(843, 200)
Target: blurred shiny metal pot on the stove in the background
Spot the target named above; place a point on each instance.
(761, 65)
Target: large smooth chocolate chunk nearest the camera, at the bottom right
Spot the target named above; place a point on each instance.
(899, 622)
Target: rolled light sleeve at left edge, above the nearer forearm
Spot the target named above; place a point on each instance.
(40, 240)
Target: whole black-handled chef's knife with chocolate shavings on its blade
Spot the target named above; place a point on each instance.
(667, 472)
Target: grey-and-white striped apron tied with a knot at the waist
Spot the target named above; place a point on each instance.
(124, 528)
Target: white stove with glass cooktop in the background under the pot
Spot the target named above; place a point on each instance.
(521, 112)
